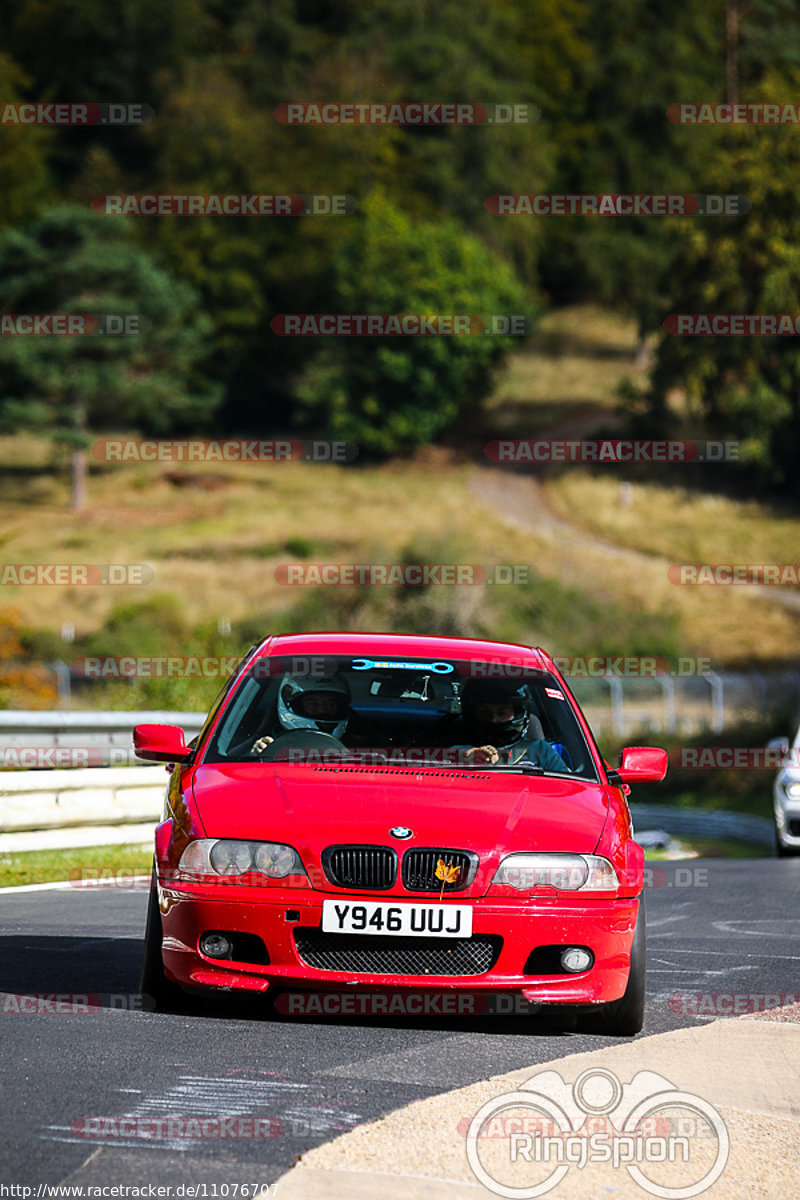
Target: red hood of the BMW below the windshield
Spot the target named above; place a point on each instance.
(312, 808)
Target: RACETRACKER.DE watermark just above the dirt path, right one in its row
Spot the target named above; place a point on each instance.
(610, 451)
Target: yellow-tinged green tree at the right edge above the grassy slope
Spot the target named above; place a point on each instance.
(745, 387)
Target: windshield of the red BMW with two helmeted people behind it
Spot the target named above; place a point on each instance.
(405, 713)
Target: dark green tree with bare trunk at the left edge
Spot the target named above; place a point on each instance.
(75, 262)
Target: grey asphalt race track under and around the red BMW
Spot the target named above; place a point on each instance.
(714, 927)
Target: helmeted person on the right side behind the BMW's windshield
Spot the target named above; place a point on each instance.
(496, 716)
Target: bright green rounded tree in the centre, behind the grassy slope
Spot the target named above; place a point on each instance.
(393, 394)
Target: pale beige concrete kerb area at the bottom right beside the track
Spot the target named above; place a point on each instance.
(748, 1069)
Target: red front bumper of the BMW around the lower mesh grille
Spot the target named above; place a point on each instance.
(604, 926)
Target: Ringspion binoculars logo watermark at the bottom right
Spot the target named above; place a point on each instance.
(524, 1144)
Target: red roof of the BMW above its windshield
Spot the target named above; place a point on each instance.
(411, 645)
